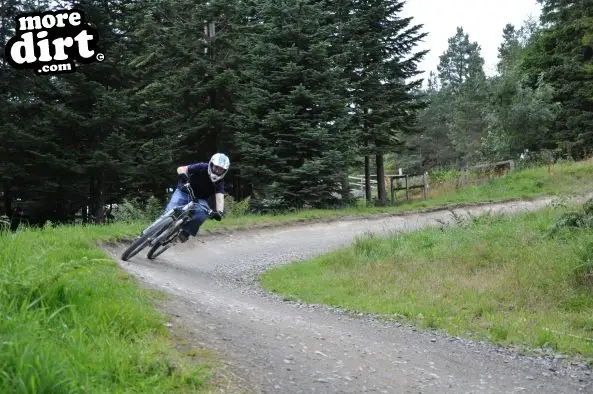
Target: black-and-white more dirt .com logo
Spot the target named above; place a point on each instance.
(52, 42)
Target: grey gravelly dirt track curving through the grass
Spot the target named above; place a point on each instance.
(284, 347)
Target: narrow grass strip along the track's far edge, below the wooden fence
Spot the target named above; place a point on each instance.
(567, 179)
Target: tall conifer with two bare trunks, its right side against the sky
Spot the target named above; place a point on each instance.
(382, 78)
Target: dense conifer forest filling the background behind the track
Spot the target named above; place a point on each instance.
(299, 94)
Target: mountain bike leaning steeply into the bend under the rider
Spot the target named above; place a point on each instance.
(163, 232)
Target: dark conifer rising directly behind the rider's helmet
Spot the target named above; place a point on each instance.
(188, 66)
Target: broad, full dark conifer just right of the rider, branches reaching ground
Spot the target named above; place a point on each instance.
(294, 141)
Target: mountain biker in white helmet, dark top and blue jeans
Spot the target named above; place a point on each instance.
(205, 179)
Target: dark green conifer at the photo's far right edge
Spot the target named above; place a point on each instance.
(558, 52)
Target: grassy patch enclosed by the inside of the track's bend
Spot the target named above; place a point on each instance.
(500, 278)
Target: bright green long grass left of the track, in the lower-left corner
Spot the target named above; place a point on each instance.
(72, 322)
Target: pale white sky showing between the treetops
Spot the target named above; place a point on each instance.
(483, 20)
